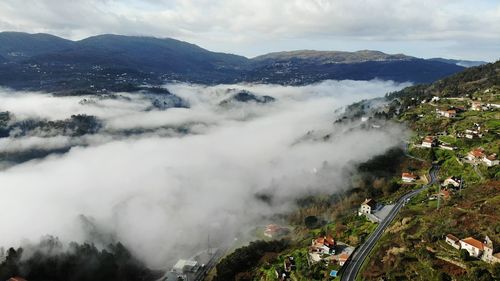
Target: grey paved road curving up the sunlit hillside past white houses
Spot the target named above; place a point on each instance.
(351, 269)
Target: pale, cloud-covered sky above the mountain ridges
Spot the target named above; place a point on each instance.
(426, 28)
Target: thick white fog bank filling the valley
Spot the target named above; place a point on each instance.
(161, 181)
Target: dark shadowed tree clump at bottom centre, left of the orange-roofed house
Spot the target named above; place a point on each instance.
(246, 258)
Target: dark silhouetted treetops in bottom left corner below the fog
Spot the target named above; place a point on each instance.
(49, 260)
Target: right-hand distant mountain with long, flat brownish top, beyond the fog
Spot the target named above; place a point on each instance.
(301, 67)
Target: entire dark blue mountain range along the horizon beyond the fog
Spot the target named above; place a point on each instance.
(120, 63)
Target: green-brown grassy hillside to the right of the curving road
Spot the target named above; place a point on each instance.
(413, 247)
